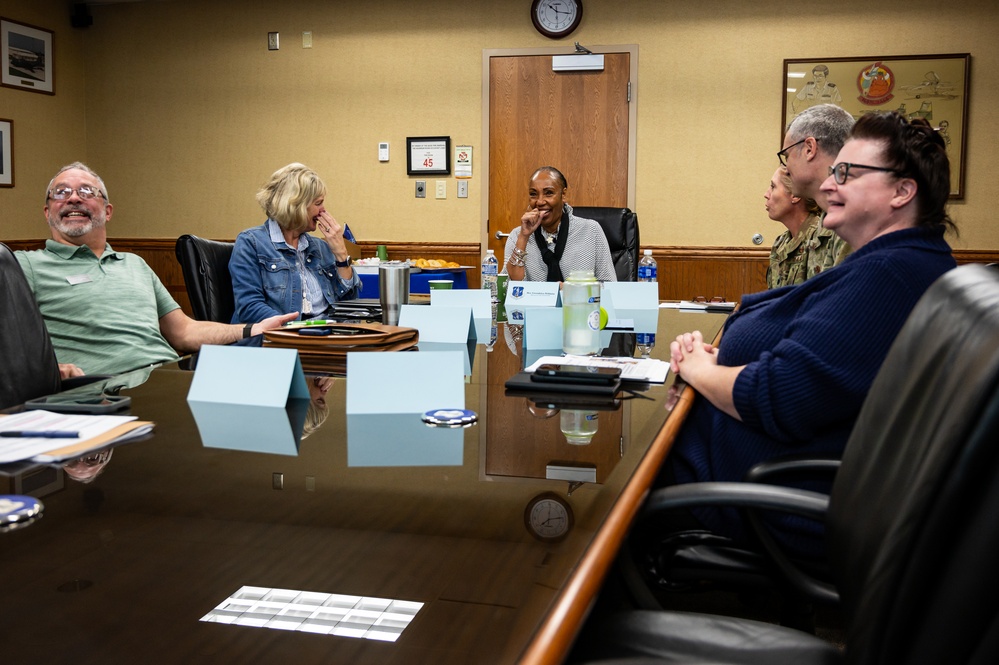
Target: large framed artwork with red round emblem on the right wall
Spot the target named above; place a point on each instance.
(934, 87)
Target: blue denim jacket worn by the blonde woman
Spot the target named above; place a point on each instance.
(265, 279)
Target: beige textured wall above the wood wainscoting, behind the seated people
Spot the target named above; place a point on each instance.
(184, 111)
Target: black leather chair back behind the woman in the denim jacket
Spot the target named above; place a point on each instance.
(205, 264)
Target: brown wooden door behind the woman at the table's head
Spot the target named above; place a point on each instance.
(574, 121)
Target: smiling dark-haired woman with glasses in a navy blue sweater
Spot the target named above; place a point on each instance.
(795, 363)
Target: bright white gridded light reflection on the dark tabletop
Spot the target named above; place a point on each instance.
(381, 619)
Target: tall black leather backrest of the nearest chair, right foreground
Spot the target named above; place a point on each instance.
(913, 522)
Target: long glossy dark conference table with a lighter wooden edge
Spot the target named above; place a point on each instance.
(492, 551)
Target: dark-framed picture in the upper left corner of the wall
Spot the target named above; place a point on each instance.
(26, 57)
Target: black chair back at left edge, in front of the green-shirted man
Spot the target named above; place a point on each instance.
(29, 364)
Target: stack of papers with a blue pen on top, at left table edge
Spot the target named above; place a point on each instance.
(94, 432)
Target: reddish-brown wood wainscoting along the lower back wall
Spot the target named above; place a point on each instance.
(684, 272)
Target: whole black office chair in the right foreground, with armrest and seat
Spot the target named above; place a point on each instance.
(911, 529)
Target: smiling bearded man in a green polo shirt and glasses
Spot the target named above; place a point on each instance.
(107, 312)
